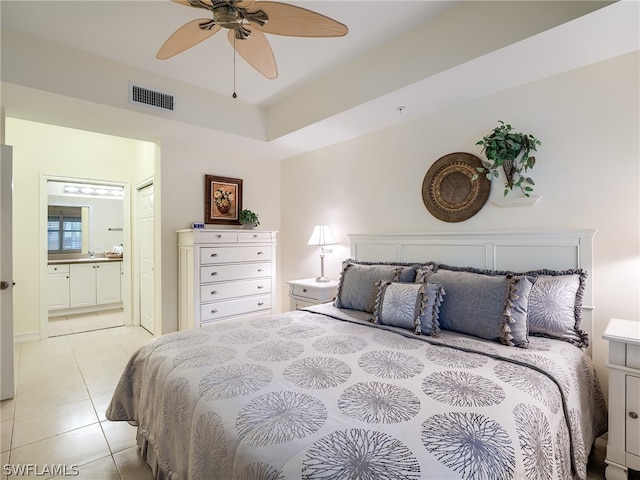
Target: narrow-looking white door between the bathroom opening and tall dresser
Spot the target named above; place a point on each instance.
(146, 258)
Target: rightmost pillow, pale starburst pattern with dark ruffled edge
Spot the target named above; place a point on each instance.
(555, 305)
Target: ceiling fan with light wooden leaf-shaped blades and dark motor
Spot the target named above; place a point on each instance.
(247, 22)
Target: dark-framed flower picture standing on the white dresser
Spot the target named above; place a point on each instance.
(223, 200)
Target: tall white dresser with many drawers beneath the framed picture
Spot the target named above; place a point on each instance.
(224, 274)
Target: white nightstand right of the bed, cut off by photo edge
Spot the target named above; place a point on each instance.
(623, 448)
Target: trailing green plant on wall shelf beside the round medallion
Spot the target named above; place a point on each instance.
(511, 152)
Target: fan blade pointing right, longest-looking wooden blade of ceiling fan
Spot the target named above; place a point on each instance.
(285, 19)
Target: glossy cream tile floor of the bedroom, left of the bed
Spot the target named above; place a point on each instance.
(64, 385)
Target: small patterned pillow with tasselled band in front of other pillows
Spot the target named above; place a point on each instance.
(411, 306)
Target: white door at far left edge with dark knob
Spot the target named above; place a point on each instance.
(6, 275)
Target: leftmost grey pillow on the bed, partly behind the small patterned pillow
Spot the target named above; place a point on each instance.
(357, 287)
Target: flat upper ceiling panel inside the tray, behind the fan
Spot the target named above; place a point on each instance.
(131, 32)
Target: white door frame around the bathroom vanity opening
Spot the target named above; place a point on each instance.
(126, 237)
